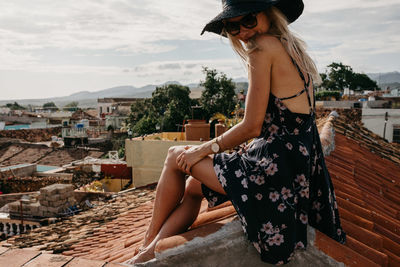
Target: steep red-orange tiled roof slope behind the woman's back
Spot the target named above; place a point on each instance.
(362, 181)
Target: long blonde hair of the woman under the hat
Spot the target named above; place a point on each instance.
(294, 46)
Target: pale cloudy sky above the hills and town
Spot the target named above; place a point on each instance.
(52, 48)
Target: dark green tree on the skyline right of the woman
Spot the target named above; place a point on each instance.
(340, 76)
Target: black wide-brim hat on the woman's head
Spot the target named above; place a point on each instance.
(292, 9)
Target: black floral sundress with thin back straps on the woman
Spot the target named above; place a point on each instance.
(279, 183)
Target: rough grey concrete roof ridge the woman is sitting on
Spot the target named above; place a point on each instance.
(229, 247)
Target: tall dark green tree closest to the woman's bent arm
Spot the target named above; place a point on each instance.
(219, 94)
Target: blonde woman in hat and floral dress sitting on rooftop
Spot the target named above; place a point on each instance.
(279, 182)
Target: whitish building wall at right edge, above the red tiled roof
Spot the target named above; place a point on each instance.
(374, 120)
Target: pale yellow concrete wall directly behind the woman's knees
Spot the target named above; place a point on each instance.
(146, 157)
